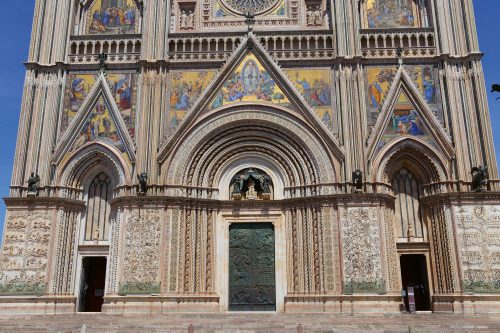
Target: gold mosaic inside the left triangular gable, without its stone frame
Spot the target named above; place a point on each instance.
(100, 126)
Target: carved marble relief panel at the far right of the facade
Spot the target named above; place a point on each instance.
(478, 235)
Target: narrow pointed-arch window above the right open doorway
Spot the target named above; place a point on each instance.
(407, 206)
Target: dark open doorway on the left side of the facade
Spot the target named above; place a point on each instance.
(92, 284)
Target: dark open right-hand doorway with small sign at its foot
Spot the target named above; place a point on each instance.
(414, 274)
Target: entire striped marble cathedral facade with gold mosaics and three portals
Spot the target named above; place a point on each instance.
(236, 155)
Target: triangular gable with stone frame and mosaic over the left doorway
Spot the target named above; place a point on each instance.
(98, 120)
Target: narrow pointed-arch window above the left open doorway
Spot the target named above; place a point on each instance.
(98, 209)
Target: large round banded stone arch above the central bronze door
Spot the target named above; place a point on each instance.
(281, 143)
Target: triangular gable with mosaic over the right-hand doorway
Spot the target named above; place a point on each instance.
(405, 113)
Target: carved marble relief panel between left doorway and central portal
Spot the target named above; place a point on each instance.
(141, 255)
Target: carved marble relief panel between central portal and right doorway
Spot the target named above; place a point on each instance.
(362, 251)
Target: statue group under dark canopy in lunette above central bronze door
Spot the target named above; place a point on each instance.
(251, 184)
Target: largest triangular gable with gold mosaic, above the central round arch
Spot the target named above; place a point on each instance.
(278, 90)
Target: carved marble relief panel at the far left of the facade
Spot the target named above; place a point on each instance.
(23, 265)
